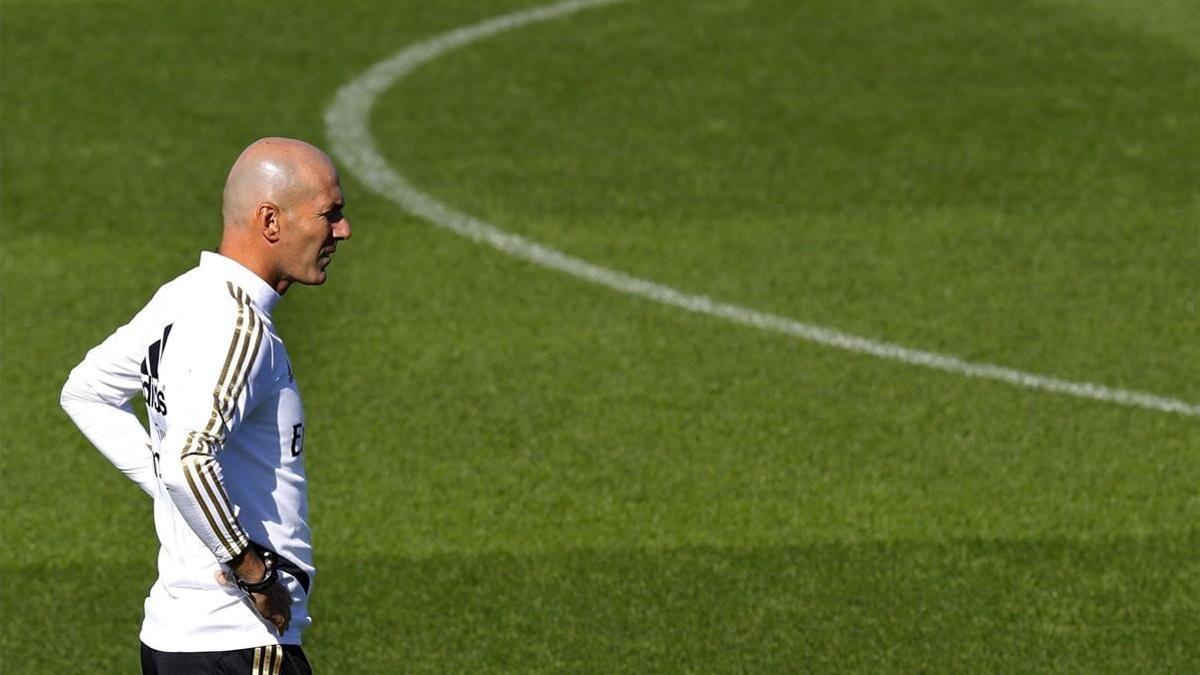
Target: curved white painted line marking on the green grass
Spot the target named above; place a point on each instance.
(347, 122)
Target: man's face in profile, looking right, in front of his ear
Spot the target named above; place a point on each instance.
(313, 228)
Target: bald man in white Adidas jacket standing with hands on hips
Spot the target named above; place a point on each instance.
(224, 457)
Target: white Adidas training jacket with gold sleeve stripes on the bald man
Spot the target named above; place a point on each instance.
(224, 459)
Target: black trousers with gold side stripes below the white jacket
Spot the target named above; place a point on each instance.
(271, 660)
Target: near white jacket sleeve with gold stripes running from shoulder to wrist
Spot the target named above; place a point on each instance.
(206, 372)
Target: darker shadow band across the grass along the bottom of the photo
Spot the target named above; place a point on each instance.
(1119, 606)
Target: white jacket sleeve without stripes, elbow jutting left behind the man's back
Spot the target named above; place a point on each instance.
(97, 397)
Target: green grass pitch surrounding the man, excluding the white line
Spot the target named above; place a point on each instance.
(513, 470)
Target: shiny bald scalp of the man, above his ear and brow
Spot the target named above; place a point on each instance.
(273, 170)
